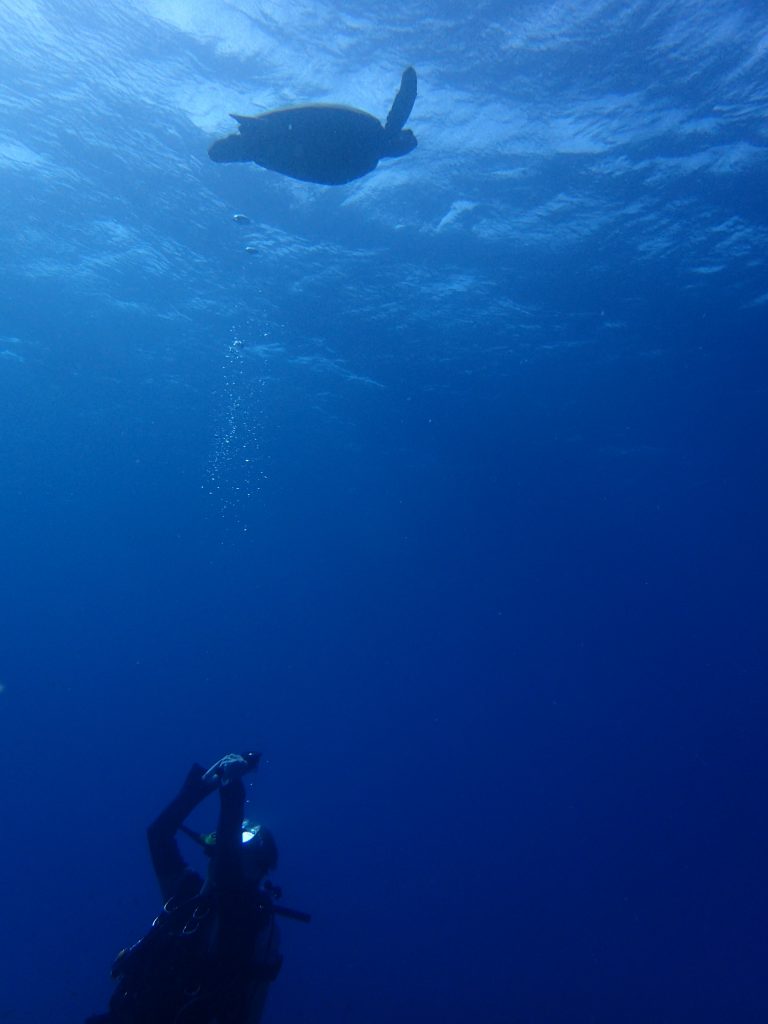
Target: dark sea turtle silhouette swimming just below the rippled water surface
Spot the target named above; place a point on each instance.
(322, 143)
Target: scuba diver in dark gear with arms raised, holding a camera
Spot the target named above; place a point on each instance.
(214, 951)
